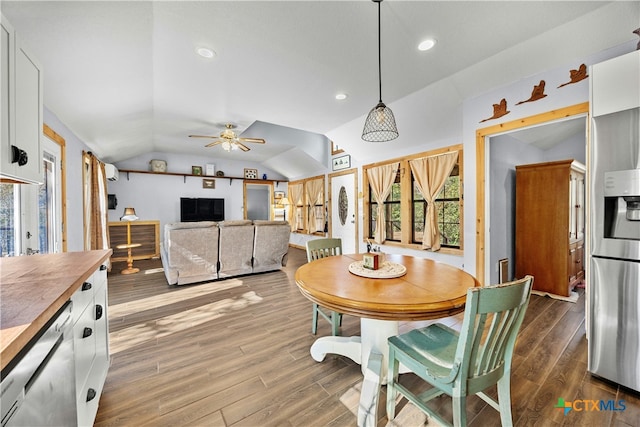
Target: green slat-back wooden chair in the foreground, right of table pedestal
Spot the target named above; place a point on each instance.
(464, 363)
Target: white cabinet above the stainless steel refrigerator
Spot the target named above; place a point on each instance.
(615, 84)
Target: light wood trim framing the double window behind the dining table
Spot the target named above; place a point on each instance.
(406, 199)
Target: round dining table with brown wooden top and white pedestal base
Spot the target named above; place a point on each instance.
(427, 290)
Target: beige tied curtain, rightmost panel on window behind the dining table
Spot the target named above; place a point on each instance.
(430, 174)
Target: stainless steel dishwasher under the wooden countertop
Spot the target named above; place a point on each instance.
(38, 388)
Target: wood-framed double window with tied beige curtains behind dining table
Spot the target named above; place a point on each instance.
(406, 207)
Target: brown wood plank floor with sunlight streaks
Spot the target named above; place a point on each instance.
(236, 353)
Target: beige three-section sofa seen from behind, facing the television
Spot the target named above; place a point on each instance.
(194, 252)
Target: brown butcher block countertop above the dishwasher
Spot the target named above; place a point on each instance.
(33, 288)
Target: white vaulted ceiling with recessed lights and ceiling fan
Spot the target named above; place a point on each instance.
(124, 76)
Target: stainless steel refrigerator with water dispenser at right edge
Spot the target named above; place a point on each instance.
(614, 276)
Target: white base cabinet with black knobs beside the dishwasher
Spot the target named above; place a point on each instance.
(91, 345)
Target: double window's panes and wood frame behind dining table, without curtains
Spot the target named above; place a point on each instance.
(406, 207)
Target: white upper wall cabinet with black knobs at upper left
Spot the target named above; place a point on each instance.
(21, 103)
